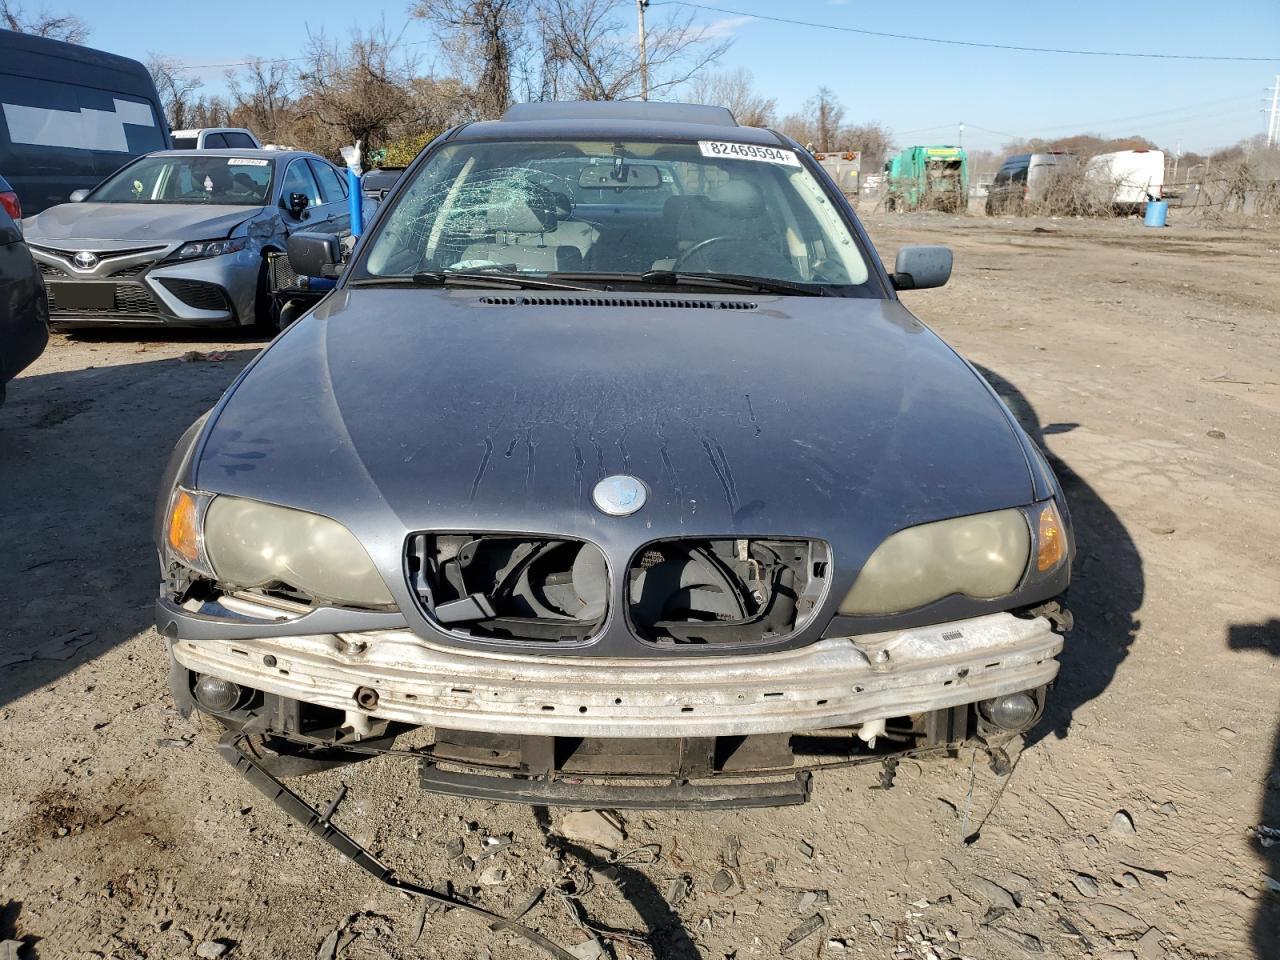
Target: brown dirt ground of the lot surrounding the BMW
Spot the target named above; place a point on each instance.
(1149, 365)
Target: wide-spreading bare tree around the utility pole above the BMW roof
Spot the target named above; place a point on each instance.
(588, 42)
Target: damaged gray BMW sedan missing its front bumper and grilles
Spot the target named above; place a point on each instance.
(614, 473)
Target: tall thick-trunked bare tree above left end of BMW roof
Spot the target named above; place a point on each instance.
(484, 38)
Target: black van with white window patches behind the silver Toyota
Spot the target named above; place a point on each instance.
(70, 117)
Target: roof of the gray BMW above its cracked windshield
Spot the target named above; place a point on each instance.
(628, 120)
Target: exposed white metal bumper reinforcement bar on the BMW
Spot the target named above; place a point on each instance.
(834, 683)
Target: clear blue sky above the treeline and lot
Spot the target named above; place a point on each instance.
(922, 92)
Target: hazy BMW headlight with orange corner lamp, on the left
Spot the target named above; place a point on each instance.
(248, 545)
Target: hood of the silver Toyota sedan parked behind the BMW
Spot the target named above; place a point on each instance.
(150, 223)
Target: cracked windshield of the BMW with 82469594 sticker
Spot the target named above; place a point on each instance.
(606, 211)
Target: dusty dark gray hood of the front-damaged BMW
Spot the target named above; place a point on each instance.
(396, 410)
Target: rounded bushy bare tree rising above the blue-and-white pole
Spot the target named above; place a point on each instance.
(362, 92)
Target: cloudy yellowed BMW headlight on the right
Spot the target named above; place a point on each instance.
(982, 556)
